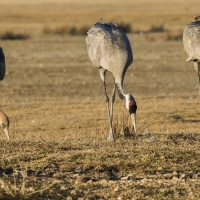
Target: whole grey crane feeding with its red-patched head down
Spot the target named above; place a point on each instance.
(109, 49)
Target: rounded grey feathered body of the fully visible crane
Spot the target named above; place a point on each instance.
(108, 47)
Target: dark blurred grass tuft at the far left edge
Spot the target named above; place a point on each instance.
(14, 36)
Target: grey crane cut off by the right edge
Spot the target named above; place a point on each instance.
(191, 43)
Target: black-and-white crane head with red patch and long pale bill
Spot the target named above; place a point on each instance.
(132, 107)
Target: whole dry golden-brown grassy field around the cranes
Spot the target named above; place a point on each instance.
(53, 97)
